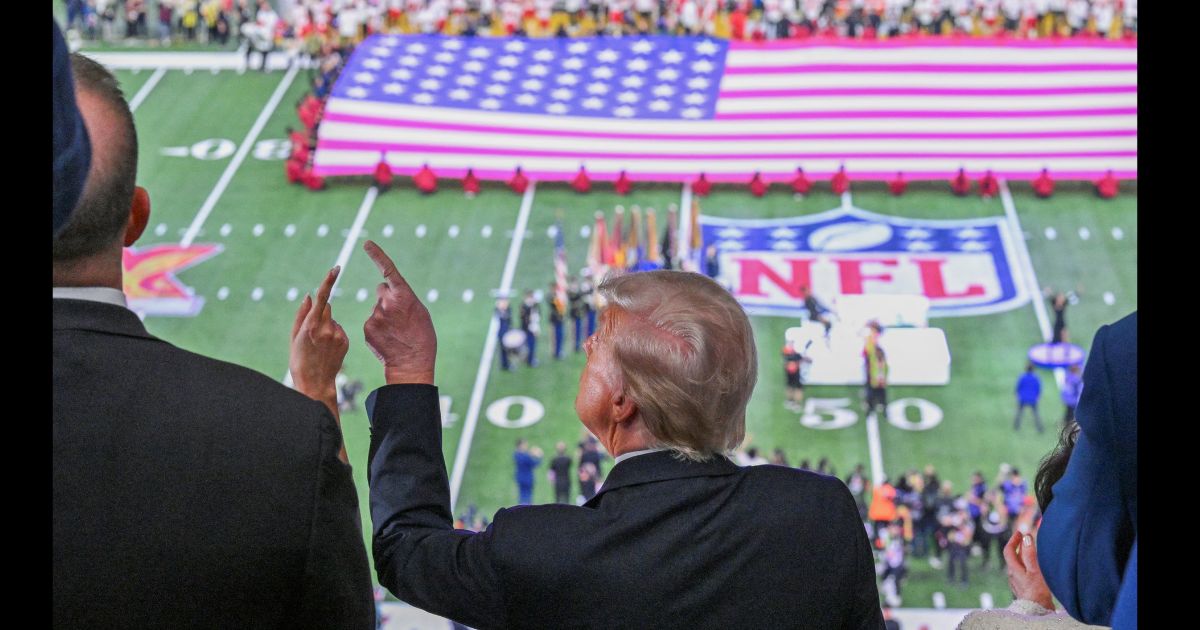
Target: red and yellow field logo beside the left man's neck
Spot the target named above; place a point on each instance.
(151, 284)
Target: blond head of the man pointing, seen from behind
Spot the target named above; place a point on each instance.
(673, 364)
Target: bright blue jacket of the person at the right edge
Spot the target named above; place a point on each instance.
(1089, 536)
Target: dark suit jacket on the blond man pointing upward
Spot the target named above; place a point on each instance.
(665, 543)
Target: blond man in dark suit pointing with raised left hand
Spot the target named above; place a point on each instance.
(679, 537)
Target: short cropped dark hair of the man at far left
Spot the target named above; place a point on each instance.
(104, 208)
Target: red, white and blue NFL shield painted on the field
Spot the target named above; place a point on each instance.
(964, 267)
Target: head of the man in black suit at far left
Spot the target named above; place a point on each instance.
(112, 212)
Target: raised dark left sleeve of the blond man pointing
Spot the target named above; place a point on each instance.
(418, 554)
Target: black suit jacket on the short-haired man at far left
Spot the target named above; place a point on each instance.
(191, 493)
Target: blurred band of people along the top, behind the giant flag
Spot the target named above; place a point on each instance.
(310, 25)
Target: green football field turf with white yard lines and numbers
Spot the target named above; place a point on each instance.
(212, 158)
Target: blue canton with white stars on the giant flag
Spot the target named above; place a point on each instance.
(651, 77)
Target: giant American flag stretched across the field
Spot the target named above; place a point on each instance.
(668, 109)
